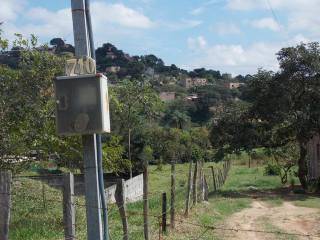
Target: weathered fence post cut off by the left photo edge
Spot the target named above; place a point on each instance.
(5, 201)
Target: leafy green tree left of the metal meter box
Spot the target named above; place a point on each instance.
(27, 109)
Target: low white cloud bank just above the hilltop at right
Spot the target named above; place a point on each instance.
(237, 58)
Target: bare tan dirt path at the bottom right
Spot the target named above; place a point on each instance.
(285, 218)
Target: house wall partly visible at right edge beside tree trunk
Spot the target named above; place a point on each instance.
(313, 157)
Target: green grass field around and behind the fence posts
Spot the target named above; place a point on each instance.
(35, 218)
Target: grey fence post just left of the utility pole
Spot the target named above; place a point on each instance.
(69, 214)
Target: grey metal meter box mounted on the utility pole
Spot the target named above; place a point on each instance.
(82, 104)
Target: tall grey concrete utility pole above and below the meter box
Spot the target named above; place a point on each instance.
(93, 205)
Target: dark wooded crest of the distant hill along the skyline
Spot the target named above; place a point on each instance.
(117, 65)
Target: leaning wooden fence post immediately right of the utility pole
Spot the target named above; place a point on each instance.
(121, 203)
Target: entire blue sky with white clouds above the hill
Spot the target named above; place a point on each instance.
(236, 36)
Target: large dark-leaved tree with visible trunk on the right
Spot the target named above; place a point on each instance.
(283, 107)
